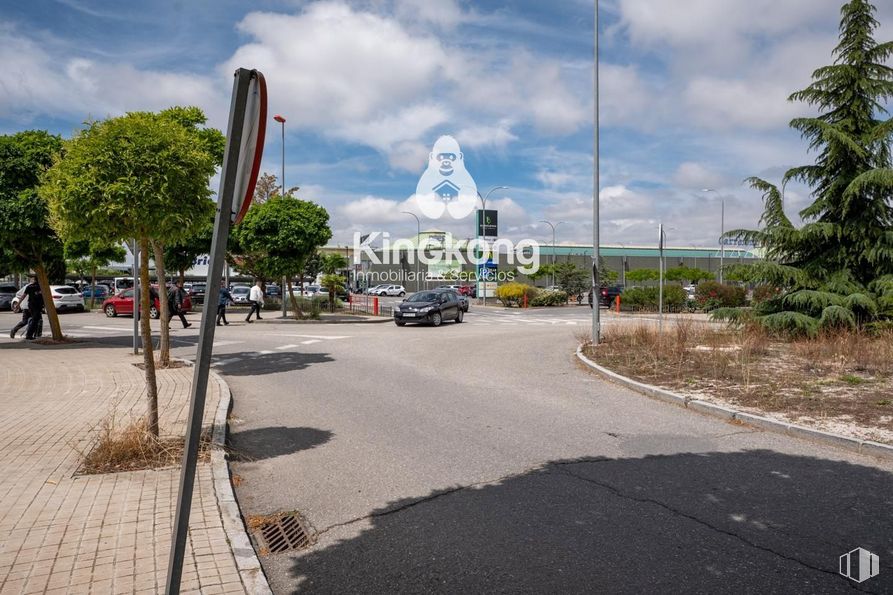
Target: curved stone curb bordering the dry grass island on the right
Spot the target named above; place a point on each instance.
(865, 447)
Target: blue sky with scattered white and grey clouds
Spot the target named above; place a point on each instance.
(692, 95)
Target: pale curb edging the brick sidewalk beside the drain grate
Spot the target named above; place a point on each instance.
(250, 570)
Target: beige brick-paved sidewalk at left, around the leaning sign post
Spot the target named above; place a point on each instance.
(68, 533)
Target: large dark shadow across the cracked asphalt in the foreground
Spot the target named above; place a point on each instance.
(753, 521)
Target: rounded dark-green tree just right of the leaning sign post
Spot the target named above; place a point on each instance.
(287, 232)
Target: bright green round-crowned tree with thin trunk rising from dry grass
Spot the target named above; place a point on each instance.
(140, 176)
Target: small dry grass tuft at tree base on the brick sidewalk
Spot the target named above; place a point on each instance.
(132, 448)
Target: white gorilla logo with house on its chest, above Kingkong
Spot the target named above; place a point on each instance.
(446, 185)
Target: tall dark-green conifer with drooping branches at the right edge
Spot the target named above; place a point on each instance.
(837, 269)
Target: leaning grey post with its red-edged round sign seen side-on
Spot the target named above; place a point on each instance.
(241, 164)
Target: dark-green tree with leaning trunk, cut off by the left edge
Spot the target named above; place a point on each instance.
(27, 242)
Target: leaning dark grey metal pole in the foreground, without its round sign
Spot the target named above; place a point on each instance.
(206, 334)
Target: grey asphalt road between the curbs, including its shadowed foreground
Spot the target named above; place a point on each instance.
(481, 457)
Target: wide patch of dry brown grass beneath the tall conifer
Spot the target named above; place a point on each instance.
(832, 380)
